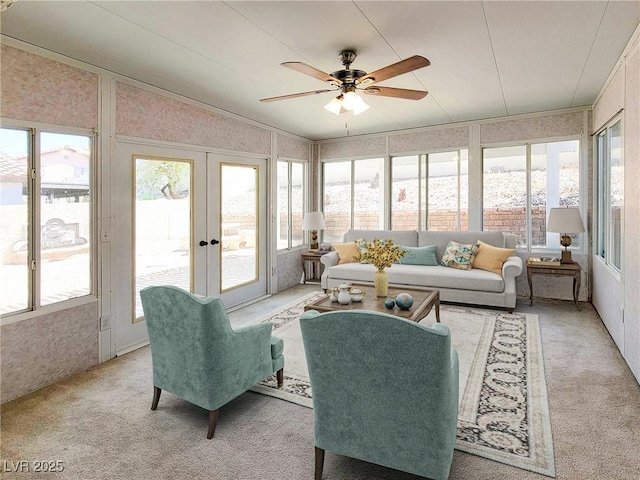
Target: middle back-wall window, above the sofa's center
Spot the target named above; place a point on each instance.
(430, 192)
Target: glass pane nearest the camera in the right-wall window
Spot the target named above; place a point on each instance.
(616, 198)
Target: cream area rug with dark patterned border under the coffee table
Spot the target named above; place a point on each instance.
(503, 413)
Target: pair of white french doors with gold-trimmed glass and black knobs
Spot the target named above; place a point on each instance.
(192, 220)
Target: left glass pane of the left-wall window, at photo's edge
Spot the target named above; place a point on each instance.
(14, 221)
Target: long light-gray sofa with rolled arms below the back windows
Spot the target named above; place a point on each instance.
(475, 286)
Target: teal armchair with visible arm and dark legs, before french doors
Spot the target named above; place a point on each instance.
(198, 356)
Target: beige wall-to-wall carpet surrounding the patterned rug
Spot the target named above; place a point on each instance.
(100, 425)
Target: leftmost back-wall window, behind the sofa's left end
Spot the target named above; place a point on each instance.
(352, 196)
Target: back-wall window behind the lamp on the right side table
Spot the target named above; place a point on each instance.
(522, 183)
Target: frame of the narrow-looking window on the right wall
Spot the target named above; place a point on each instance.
(603, 249)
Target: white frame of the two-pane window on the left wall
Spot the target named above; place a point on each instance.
(34, 306)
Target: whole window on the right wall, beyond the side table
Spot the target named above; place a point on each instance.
(610, 193)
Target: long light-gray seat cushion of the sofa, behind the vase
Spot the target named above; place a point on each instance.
(422, 276)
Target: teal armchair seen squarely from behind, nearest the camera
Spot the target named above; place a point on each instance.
(385, 390)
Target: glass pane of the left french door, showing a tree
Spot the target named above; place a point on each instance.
(162, 233)
